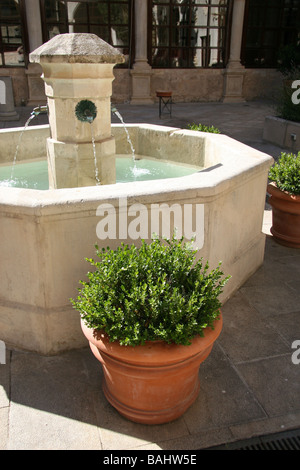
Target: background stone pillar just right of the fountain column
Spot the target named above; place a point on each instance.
(141, 72)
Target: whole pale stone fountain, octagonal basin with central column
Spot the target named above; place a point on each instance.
(46, 235)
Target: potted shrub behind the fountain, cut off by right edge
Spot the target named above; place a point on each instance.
(284, 190)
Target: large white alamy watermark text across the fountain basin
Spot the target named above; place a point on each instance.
(140, 221)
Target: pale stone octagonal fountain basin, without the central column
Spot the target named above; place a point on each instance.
(47, 234)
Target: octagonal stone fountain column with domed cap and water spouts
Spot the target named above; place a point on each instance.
(76, 68)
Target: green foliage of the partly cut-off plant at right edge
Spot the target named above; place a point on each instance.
(286, 173)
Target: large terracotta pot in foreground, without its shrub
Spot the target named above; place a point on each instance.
(154, 383)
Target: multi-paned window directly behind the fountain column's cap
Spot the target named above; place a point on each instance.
(108, 19)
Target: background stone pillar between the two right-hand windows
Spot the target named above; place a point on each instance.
(234, 73)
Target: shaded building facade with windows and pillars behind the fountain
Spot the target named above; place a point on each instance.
(201, 50)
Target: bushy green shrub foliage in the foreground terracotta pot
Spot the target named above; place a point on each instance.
(155, 292)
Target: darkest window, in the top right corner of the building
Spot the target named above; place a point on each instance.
(268, 26)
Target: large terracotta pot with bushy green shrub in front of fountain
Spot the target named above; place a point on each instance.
(151, 315)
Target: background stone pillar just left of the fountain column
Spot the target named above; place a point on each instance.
(36, 87)
